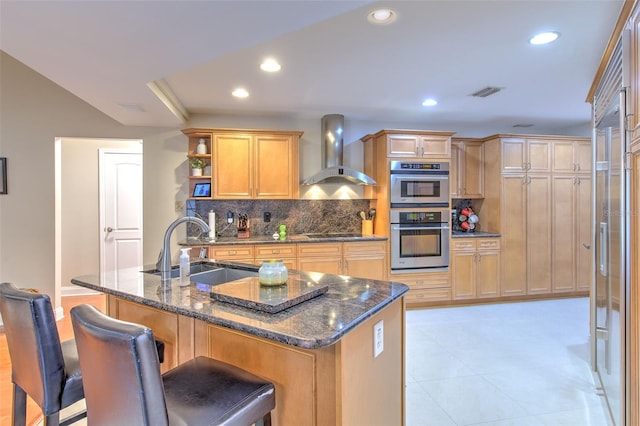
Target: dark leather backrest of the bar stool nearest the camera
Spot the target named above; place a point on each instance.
(120, 370)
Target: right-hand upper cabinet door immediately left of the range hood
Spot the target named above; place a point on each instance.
(273, 164)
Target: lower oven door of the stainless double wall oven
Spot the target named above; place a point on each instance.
(419, 246)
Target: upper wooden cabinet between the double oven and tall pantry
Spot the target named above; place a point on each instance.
(467, 169)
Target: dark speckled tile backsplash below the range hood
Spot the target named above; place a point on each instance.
(300, 216)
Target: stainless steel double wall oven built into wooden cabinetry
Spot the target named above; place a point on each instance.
(419, 216)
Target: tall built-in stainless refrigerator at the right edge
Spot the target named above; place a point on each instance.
(611, 276)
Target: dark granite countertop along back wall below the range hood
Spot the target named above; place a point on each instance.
(293, 238)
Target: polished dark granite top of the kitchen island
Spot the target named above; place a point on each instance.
(315, 323)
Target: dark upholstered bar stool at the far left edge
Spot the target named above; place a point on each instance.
(41, 367)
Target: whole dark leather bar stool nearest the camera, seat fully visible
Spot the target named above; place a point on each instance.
(123, 384)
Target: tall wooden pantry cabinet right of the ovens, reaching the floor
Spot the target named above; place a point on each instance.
(542, 211)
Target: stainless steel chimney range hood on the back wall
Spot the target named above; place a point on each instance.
(332, 143)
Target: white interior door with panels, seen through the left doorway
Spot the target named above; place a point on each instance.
(120, 211)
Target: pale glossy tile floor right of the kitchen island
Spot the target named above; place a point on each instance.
(503, 364)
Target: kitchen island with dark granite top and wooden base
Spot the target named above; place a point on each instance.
(319, 353)
